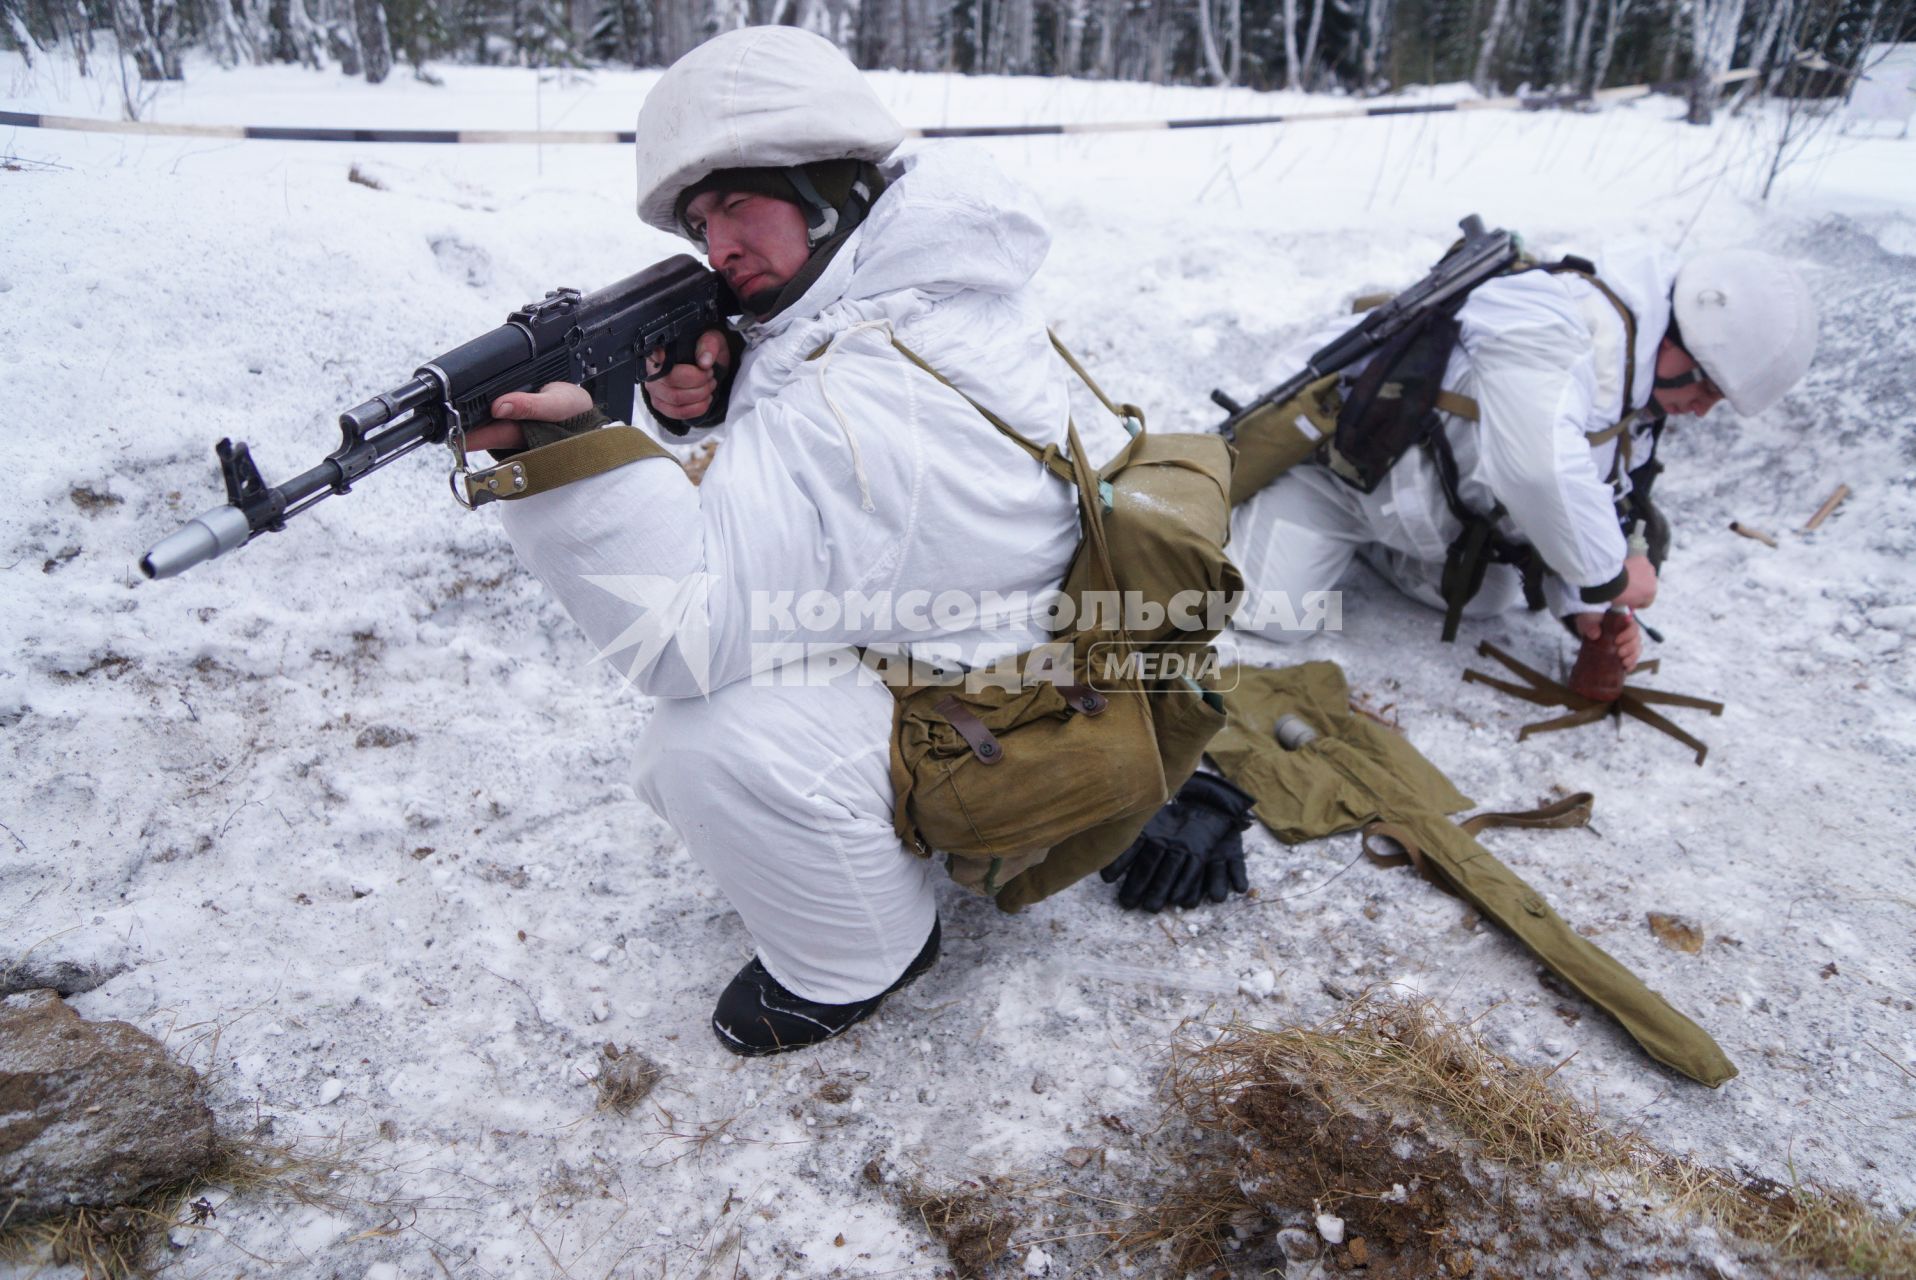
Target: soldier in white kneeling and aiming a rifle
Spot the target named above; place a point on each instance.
(848, 472)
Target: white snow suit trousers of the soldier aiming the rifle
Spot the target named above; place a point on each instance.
(783, 794)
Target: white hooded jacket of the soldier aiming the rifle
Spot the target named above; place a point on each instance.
(854, 501)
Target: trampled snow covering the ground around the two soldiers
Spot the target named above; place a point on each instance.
(348, 815)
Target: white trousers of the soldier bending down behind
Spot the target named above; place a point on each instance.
(1302, 534)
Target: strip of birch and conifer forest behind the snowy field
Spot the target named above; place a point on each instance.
(1357, 47)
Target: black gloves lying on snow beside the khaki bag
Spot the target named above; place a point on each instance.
(1193, 850)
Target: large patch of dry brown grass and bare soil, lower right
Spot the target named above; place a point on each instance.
(1392, 1118)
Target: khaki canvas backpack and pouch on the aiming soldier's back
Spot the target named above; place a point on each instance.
(1032, 785)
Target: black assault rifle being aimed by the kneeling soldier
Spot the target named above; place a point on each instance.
(597, 340)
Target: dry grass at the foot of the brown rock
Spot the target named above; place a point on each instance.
(124, 1241)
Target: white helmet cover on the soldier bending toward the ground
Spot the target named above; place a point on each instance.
(1750, 323)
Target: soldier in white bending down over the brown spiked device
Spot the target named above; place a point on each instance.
(1536, 480)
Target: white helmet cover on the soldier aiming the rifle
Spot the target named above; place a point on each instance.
(754, 99)
